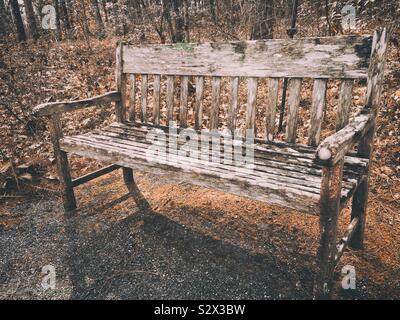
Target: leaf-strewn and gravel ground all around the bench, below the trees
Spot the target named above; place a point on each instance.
(194, 242)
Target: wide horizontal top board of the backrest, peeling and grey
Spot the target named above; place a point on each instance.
(330, 57)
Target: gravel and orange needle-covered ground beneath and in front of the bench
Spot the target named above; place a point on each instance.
(193, 243)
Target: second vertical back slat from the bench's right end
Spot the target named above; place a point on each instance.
(317, 110)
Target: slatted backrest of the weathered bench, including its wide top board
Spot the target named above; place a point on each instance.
(150, 76)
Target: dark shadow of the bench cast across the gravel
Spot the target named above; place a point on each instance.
(149, 256)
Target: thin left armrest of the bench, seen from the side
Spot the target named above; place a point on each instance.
(47, 109)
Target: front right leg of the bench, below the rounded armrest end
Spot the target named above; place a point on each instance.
(329, 212)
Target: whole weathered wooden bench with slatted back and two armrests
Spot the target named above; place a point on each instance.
(317, 178)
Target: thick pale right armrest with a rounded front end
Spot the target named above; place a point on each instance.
(334, 147)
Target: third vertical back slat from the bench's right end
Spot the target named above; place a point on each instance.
(293, 109)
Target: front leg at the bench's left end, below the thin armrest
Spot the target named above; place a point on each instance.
(69, 200)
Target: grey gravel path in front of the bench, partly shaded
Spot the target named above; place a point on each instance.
(111, 249)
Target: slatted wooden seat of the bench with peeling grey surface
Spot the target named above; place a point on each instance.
(284, 174)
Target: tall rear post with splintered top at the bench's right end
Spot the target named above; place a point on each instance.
(374, 88)
